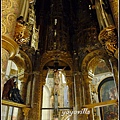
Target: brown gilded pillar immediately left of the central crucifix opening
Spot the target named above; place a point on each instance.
(36, 112)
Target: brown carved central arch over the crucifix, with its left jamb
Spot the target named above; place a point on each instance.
(40, 78)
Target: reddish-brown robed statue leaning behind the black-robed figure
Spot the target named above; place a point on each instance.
(7, 87)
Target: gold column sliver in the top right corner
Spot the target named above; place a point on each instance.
(114, 9)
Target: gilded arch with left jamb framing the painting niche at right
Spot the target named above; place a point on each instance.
(86, 64)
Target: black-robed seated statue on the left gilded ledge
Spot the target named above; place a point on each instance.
(14, 94)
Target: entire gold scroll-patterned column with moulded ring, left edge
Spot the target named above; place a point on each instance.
(10, 11)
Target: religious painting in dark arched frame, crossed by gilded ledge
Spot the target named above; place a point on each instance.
(108, 91)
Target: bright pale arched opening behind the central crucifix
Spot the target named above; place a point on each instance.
(50, 100)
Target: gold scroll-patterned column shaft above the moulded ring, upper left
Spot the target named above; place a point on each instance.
(10, 10)
